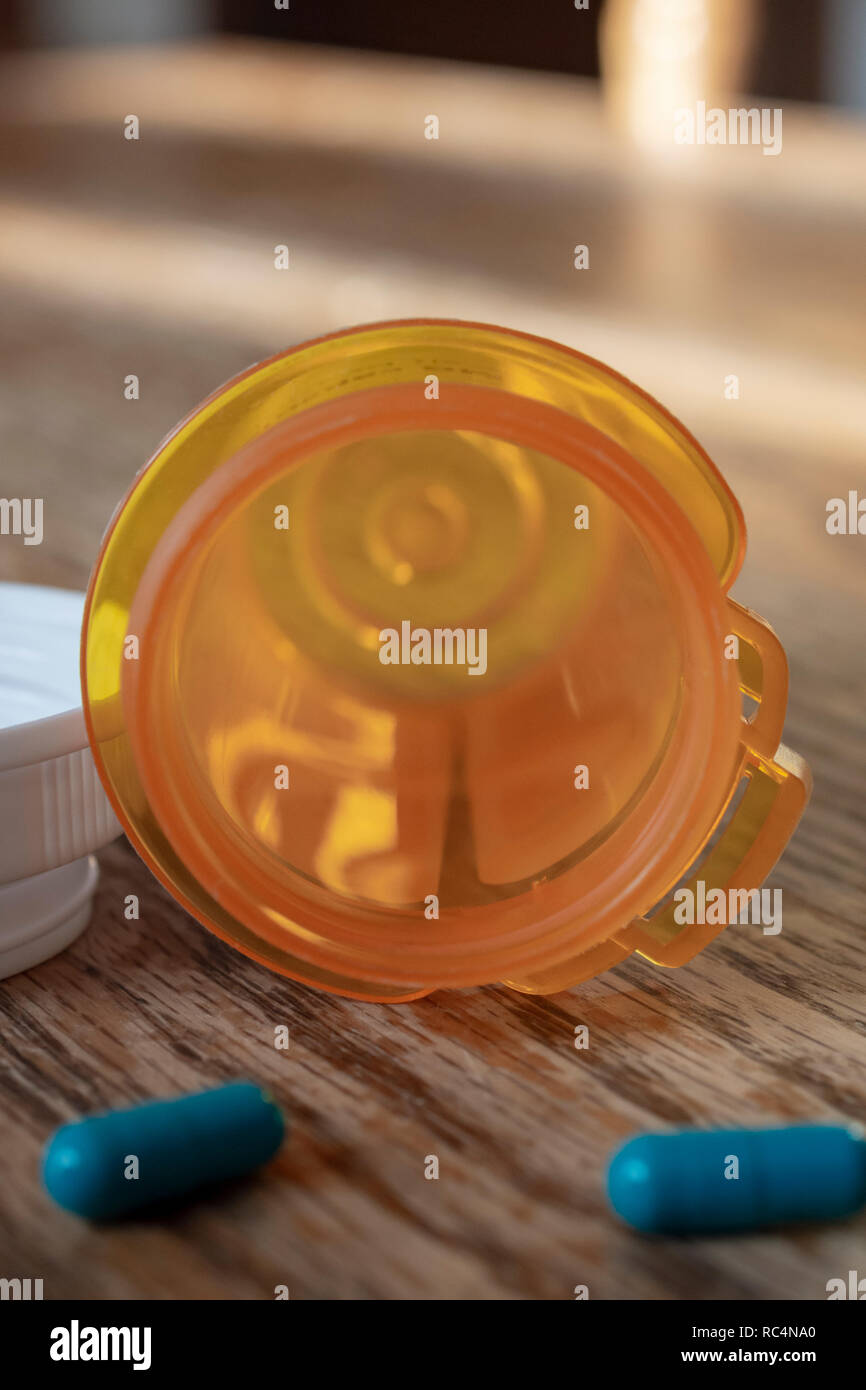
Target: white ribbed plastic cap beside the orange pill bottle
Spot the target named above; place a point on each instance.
(54, 811)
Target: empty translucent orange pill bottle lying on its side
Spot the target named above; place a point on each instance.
(408, 665)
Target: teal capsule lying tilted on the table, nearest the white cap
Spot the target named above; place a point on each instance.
(113, 1164)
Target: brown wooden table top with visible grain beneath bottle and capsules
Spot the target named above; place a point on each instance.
(156, 258)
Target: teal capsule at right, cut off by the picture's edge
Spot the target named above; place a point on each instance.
(717, 1181)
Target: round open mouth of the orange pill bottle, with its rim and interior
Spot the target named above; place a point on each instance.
(400, 651)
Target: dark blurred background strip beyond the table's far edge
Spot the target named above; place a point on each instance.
(812, 49)
